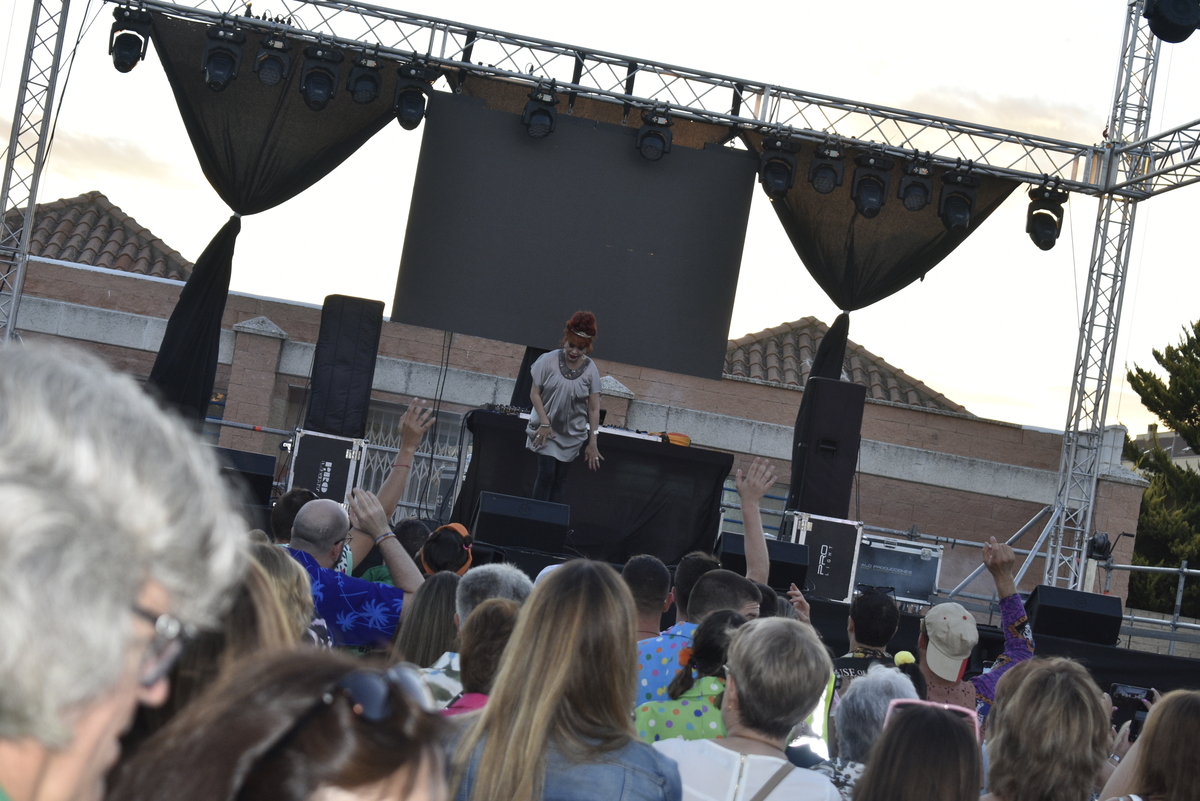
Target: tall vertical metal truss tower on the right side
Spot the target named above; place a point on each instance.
(1084, 433)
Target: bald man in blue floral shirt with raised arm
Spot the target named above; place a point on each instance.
(356, 611)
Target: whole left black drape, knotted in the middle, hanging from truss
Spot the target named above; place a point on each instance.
(259, 146)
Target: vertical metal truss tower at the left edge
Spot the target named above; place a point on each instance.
(27, 152)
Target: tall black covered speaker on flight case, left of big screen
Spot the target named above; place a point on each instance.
(344, 366)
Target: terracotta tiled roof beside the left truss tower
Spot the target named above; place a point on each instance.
(92, 231)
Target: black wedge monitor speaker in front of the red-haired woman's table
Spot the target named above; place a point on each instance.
(513, 522)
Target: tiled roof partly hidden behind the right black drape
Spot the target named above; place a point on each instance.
(784, 356)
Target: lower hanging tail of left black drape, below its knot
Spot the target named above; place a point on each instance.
(187, 366)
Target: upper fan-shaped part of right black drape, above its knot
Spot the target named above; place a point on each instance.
(859, 262)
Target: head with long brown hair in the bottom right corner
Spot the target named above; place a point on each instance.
(1162, 766)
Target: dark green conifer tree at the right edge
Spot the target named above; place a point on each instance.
(1169, 520)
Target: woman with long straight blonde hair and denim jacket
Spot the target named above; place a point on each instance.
(557, 722)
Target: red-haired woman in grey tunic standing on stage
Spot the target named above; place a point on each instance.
(566, 399)
